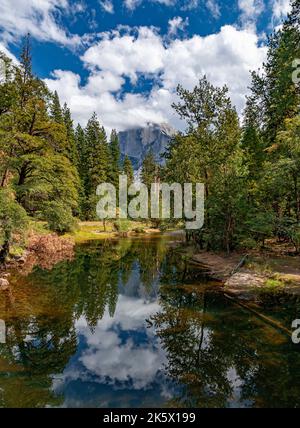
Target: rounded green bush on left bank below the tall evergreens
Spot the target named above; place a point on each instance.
(59, 218)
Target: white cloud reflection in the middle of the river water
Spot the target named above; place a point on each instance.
(109, 358)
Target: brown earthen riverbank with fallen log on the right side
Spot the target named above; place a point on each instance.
(247, 275)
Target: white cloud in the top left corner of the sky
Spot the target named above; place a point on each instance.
(37, 17)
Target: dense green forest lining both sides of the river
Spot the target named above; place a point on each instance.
(50, 167)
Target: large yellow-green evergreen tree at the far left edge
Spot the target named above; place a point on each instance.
(33, 145)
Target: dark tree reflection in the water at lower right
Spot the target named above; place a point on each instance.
(223, 355)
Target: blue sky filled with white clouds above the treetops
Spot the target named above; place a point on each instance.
(124, 58)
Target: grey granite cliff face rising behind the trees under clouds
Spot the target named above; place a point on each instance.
(137, 142)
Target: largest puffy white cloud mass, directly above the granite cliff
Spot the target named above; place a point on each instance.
(225, 57)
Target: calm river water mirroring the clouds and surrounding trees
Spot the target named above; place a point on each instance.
(128, 324)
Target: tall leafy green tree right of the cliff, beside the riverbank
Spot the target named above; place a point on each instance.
(210, 153)
